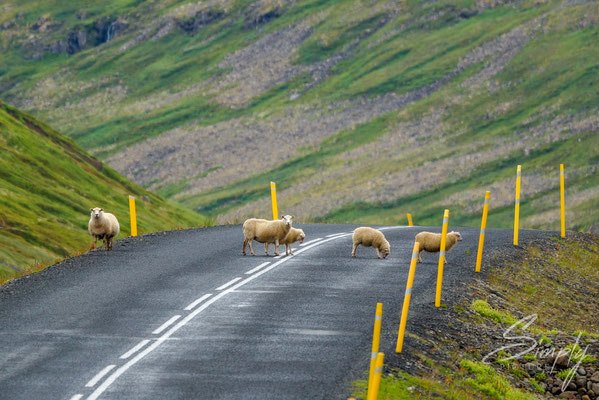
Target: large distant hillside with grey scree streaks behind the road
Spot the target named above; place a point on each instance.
(207, 102)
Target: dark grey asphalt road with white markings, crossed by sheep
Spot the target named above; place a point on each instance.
(183, 315)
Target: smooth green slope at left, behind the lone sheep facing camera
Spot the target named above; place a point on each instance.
(47, 186)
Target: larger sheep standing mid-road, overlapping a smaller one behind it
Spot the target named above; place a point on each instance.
(264, 231)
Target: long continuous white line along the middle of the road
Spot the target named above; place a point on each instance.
(121, 370)
